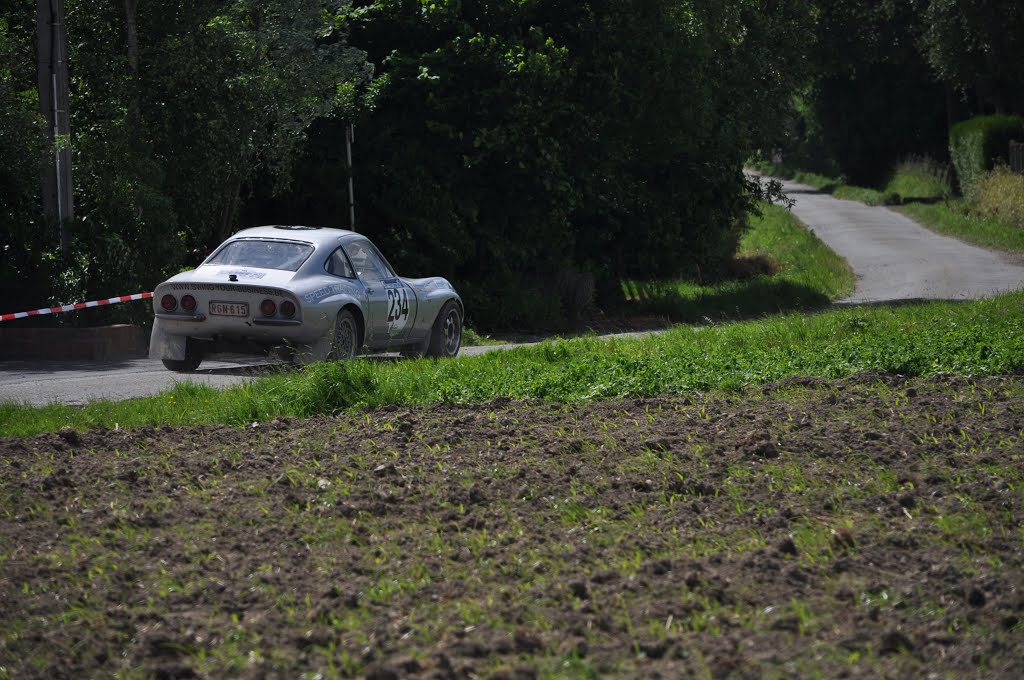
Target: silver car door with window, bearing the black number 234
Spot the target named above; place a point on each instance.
(392, 308)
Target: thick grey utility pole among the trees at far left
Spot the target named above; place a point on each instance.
(54, 94)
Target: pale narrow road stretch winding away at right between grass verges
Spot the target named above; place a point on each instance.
(898, 260)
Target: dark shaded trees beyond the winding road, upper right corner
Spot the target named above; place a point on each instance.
(891, 77)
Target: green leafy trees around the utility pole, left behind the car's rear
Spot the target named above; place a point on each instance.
(177, 109)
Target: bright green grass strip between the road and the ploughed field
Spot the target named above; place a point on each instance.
(971, 338)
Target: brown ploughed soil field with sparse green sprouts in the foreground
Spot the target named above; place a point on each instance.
(863, 528)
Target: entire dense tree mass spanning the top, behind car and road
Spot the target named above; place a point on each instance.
(509, 145)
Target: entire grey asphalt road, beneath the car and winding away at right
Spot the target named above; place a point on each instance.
(893, 258)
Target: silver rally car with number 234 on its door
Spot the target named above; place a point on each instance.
(312, 293)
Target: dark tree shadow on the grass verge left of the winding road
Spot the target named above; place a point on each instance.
(726, 303)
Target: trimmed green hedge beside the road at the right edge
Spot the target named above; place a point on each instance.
(978, 145)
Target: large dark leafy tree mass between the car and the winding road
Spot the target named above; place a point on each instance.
(511, 143)
